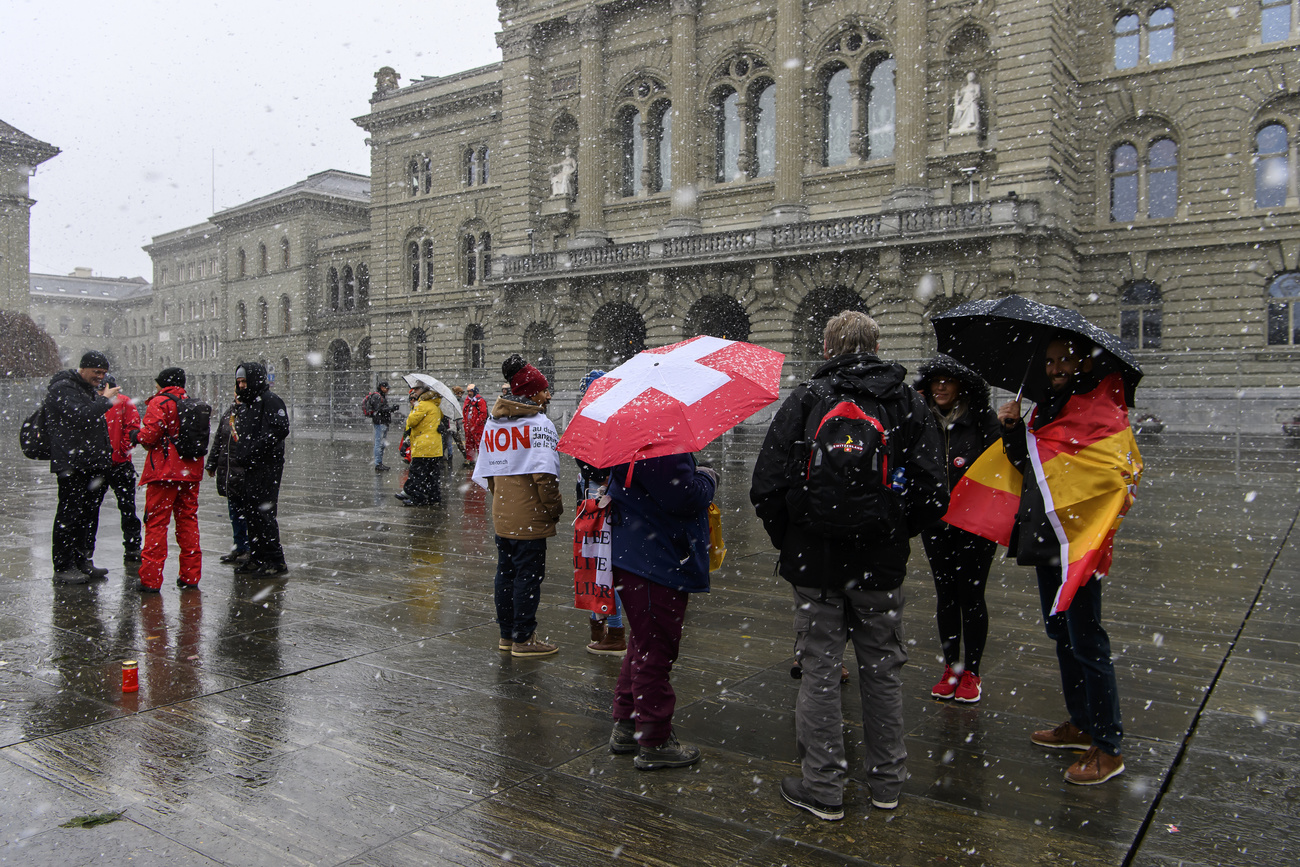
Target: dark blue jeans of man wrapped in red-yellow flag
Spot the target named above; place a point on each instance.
(1084, 653)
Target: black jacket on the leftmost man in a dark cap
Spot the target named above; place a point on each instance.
(76, 426)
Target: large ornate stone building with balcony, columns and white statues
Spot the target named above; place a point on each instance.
(631, 175)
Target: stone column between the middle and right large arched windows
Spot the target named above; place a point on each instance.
(788, 202)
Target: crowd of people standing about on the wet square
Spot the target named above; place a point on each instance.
(843, 534)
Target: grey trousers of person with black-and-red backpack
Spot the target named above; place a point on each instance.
(873, 621)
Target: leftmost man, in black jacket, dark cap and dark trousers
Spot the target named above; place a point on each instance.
(81, 456)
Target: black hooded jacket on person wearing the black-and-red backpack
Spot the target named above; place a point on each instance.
(811, 560)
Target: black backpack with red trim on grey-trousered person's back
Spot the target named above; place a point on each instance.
(844, 472)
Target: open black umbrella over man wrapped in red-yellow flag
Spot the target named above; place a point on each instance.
(1004, 341)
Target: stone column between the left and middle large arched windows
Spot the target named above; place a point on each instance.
(686, 148)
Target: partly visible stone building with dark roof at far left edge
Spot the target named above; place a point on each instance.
(20, 155)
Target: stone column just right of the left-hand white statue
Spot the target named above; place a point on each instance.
(591, 129)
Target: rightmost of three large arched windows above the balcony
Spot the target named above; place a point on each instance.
(859, 99)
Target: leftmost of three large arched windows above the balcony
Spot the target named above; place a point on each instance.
(645, 138)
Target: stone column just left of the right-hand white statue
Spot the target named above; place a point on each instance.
(911, 190)
